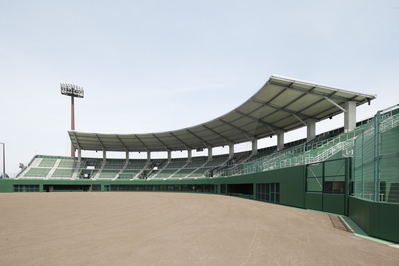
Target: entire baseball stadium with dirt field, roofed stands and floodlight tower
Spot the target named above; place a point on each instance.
(323, 198)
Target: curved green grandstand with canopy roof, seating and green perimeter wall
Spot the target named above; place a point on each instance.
(350, 171)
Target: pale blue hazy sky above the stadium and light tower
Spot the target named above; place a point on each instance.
(154, 66)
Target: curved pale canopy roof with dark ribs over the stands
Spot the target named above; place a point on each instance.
(282, 104)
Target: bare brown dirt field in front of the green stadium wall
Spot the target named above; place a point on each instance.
(141, 228)
